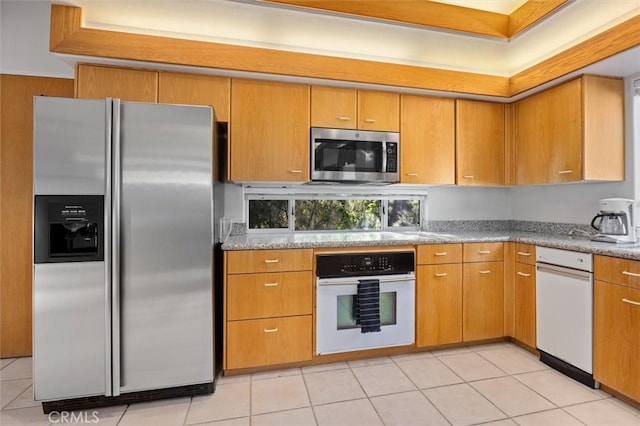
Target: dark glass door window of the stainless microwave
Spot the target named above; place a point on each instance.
(348, 156)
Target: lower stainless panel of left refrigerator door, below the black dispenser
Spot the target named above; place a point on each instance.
(68, 332)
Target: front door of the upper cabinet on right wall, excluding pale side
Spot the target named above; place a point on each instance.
(548, 138)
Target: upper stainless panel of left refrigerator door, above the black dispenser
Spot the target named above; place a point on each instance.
(69, 146)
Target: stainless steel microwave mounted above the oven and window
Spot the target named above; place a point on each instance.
(359, 156)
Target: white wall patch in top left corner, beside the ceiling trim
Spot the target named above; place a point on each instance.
(24, 40)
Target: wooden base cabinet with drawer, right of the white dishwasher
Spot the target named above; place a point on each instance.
(616, 320)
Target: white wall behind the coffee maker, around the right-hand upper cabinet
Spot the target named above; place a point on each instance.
(578, 203)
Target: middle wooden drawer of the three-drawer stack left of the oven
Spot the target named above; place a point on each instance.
(252, 296)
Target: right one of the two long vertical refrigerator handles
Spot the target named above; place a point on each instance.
(116, 195)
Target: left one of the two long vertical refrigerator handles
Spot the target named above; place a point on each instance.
(108, 250)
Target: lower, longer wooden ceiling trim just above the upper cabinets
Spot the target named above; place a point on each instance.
(69, 37)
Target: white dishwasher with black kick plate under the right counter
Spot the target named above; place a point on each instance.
(564, 312)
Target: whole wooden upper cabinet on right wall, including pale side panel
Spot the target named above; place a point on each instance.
(572, 132)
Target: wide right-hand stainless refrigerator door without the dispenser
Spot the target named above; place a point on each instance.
(166, 321)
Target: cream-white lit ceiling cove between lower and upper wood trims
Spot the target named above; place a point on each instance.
(253, 23)
